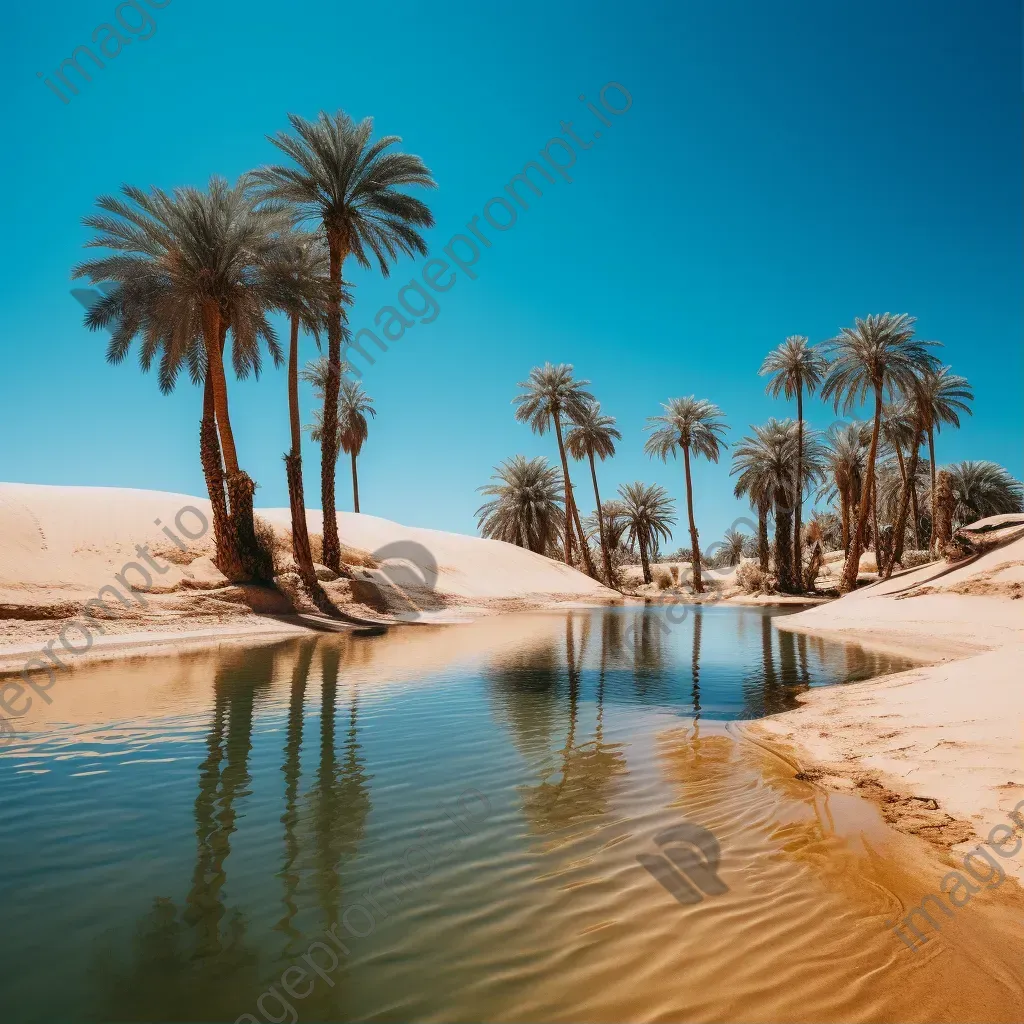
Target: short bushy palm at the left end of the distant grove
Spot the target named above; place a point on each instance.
(527, 506)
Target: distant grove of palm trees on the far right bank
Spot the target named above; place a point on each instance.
(886, 494)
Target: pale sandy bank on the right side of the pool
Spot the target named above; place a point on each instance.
(941, 747)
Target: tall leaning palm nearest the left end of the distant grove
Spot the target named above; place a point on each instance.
(550, 393)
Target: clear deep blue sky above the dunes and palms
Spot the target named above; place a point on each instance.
(784, 168)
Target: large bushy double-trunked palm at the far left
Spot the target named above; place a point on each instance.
(190, 266)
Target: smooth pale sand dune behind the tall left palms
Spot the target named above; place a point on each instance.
(61, 545)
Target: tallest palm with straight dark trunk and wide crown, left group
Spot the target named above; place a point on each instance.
(352, 190)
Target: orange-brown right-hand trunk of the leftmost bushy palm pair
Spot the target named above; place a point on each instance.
(240, 486)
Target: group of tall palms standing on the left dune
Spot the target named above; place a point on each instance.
(192, 270)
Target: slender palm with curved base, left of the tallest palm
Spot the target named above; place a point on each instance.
(298, 288)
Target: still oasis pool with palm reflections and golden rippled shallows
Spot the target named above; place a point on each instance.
(445, 823)
